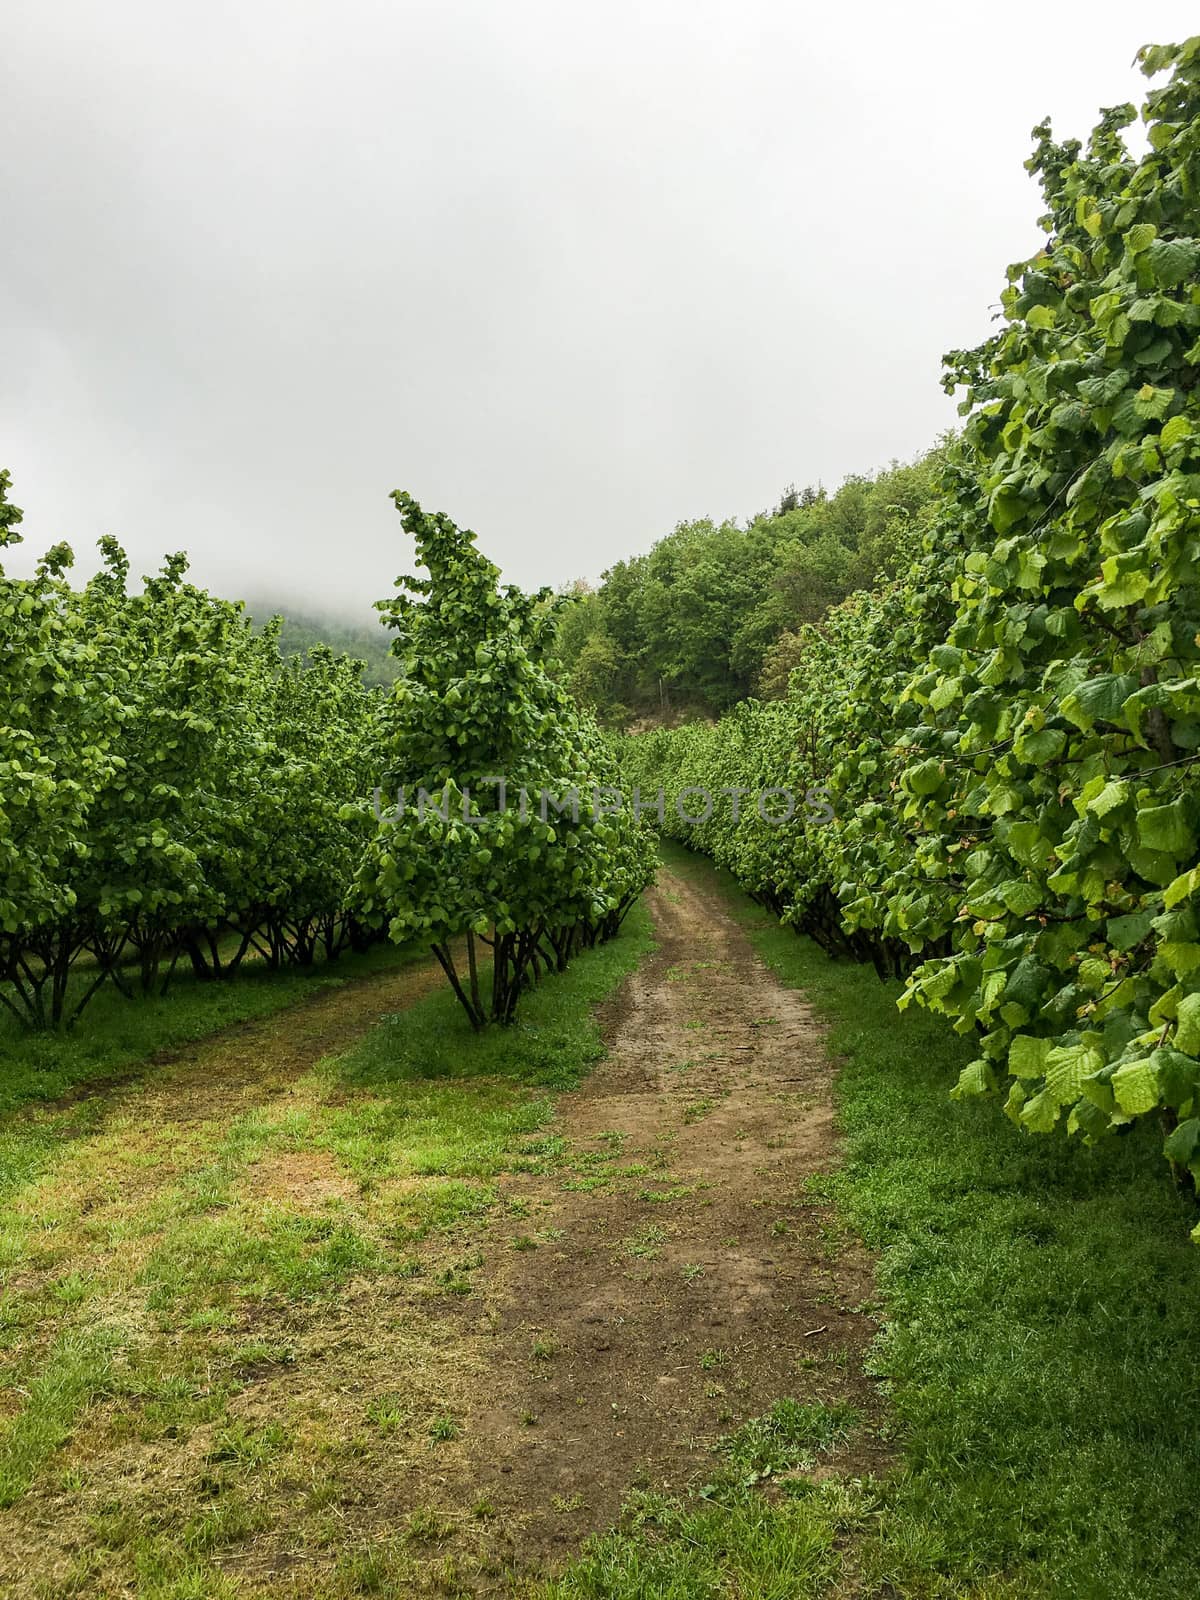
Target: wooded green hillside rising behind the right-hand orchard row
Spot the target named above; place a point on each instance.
(713, 612)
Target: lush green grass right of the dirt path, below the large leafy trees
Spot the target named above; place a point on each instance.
(1038, 1348)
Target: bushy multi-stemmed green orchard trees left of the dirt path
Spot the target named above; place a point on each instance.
(177, 790)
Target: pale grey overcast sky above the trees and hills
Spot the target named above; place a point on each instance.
(567, 273)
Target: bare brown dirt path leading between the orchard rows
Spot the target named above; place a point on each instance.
(690, 1279)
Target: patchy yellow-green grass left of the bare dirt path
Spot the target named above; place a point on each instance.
(215, 1329)
